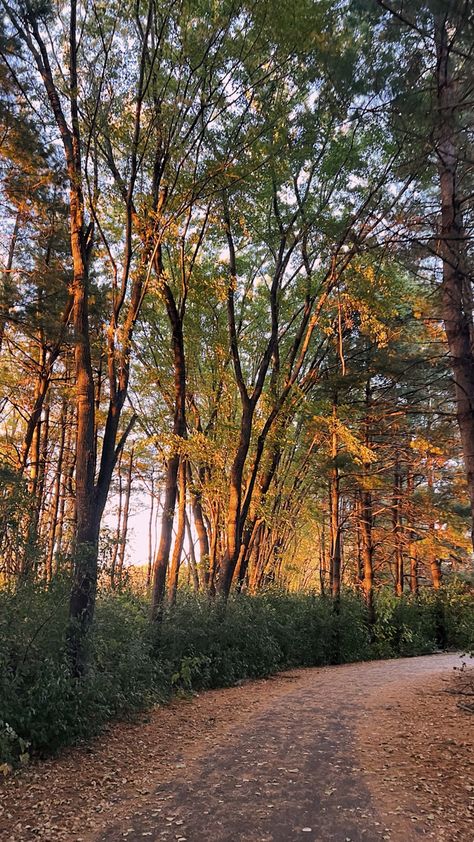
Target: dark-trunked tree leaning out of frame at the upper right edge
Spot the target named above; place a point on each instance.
(436, 43)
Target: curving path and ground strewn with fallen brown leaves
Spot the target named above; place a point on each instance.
(355, 753)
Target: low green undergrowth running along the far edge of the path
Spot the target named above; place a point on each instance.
(202, 644)
